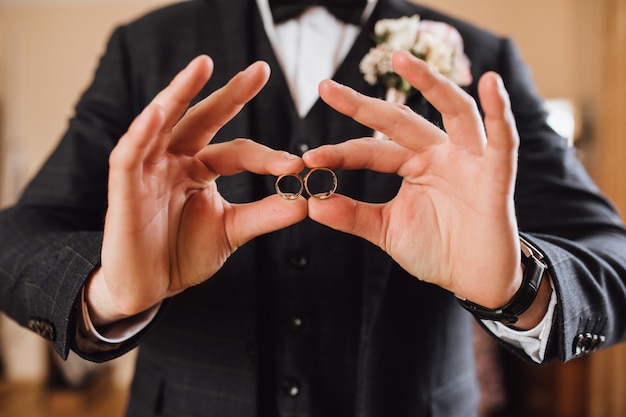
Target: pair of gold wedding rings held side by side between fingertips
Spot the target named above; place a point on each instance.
(293, 184)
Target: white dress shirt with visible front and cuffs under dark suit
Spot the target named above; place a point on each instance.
(309, 49)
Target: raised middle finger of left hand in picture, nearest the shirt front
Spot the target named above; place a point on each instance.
(203, 120)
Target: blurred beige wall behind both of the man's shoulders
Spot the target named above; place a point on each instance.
(49, 48)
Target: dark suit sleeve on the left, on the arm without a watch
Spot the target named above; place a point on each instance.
(50, 241)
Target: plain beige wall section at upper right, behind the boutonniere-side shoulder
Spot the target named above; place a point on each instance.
(558, 38)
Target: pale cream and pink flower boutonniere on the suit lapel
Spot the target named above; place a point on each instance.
(437, 43)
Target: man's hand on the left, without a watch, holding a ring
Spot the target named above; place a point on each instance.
(167, 226)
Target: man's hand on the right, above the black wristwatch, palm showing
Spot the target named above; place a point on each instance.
(452, 222)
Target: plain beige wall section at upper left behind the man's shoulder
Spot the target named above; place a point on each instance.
(47, 55)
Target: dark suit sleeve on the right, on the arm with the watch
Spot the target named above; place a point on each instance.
(564, 214)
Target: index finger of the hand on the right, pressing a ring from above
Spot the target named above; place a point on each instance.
(365, 153)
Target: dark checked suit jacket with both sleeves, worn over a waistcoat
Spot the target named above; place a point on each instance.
(414, 352)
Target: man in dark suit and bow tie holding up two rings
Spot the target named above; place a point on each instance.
(313, 307)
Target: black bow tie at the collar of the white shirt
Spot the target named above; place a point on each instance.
(349, 11)
